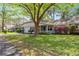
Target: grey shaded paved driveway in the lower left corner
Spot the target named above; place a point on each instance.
(6, 48)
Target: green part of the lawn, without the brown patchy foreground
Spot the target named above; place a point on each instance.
(61, 44)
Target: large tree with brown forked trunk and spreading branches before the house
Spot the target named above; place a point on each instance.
(36, 11)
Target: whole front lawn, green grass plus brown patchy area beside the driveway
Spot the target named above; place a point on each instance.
(48, 44)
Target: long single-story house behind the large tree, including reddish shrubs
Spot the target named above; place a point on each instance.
(50, 26)
